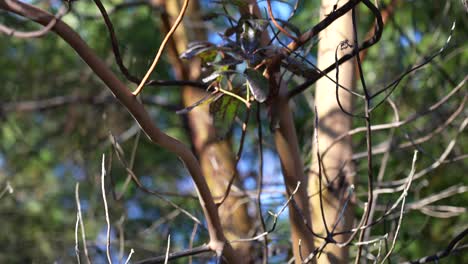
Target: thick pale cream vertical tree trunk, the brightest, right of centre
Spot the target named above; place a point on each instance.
(336, 172)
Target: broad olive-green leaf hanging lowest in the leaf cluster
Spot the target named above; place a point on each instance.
(224, 111)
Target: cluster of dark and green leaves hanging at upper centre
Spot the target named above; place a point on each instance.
(235, 77)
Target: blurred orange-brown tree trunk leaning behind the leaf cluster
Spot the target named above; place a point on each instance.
(216, 157)
